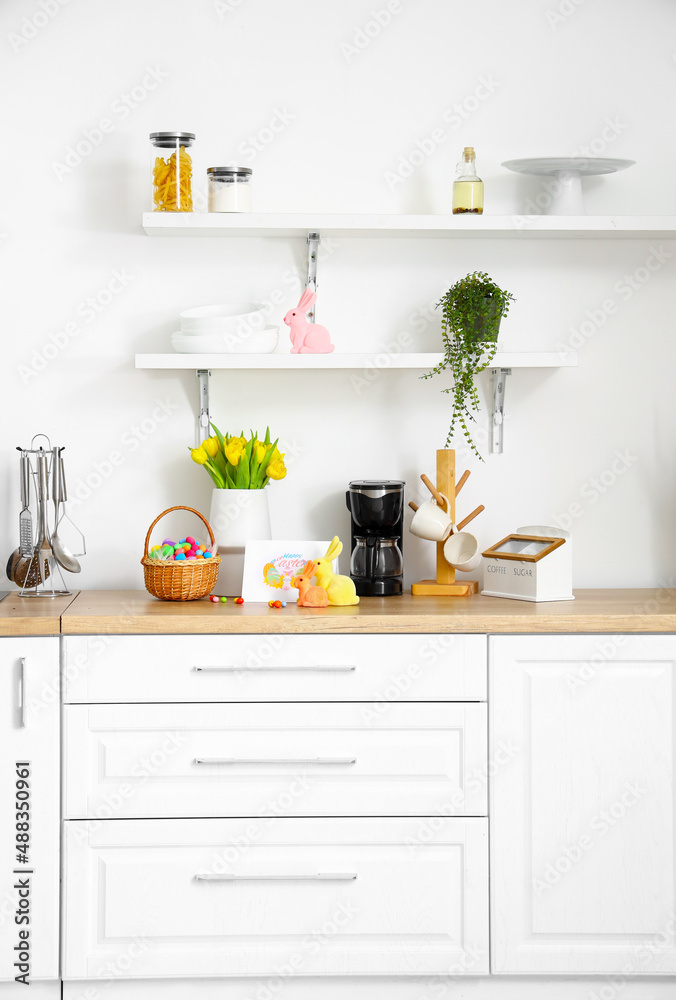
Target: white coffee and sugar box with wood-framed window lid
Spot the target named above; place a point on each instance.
(533, 564)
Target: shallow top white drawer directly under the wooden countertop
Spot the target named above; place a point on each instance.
(377, 668)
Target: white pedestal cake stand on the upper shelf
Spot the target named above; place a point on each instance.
(565, 193)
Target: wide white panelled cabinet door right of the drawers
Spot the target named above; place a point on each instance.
(582, 752)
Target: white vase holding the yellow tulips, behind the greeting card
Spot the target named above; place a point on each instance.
(237, 517)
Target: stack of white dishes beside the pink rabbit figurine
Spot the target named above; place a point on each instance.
(231, 328)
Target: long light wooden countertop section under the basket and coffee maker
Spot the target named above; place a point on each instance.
(134, 612)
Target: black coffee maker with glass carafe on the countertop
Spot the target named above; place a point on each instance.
(376, 561)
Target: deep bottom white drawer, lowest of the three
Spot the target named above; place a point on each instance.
(316, 897)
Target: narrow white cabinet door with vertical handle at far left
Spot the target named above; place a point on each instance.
(29, 807)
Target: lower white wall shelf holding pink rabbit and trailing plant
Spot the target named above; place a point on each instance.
(335, 361)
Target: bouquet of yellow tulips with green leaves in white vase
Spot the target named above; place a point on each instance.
(239, 463)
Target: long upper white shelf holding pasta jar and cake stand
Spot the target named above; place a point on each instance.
(411, 226)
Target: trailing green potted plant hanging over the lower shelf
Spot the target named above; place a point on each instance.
(471, 313)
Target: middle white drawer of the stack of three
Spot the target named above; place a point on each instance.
(334, 759)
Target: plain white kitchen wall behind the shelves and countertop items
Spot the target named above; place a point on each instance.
(557, 80)
